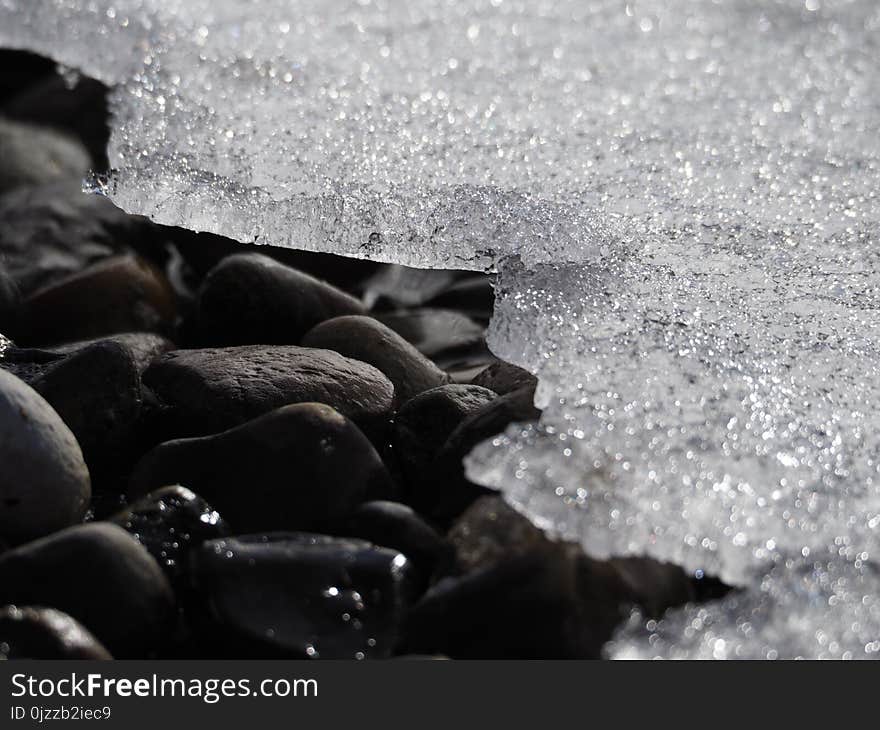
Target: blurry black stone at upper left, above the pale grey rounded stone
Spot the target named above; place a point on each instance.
(78, 109)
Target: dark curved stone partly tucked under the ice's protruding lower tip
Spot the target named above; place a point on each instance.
(445, 492)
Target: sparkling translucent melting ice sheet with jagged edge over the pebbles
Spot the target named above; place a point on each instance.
(681, 199)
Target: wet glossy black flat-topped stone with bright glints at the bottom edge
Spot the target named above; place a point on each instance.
(301, 595)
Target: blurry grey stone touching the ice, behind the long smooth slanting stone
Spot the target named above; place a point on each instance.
(446, 337)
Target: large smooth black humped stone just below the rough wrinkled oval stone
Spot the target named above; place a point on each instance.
(300, 467)
